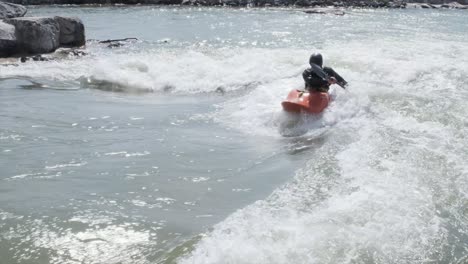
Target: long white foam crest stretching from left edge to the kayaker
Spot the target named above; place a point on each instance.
(186, 71)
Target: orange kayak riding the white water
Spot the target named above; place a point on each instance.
(301, 101)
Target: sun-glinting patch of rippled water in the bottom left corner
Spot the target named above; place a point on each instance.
(86, 237)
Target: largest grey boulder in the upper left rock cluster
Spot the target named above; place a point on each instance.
(36, 34)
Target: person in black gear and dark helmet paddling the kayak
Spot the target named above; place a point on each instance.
(319, 79)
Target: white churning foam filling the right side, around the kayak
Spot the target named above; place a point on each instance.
(386, 185)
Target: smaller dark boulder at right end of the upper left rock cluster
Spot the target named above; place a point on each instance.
(72, 32)
